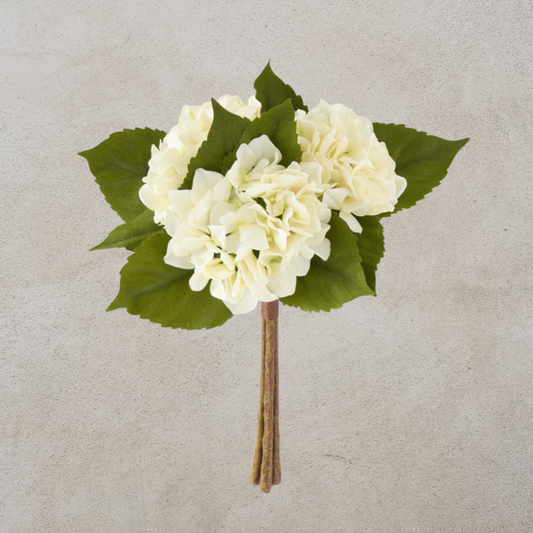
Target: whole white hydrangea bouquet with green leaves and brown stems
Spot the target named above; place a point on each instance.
(254, 201)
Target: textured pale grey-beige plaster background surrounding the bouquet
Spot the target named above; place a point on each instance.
(411, 412)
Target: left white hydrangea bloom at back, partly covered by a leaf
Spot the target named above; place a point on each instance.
(169, 162)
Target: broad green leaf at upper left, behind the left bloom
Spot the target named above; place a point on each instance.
(119, 164)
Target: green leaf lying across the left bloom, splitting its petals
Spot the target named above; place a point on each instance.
(222, 139)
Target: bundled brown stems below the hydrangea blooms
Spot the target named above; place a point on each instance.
(266, 467)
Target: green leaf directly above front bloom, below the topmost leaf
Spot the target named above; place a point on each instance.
(280, 126)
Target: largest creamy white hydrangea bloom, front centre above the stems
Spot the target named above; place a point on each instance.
(252, 232)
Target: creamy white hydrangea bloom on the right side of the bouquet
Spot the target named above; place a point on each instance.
(352, 160)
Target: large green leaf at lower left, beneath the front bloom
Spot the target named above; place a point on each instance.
(160, 293)
